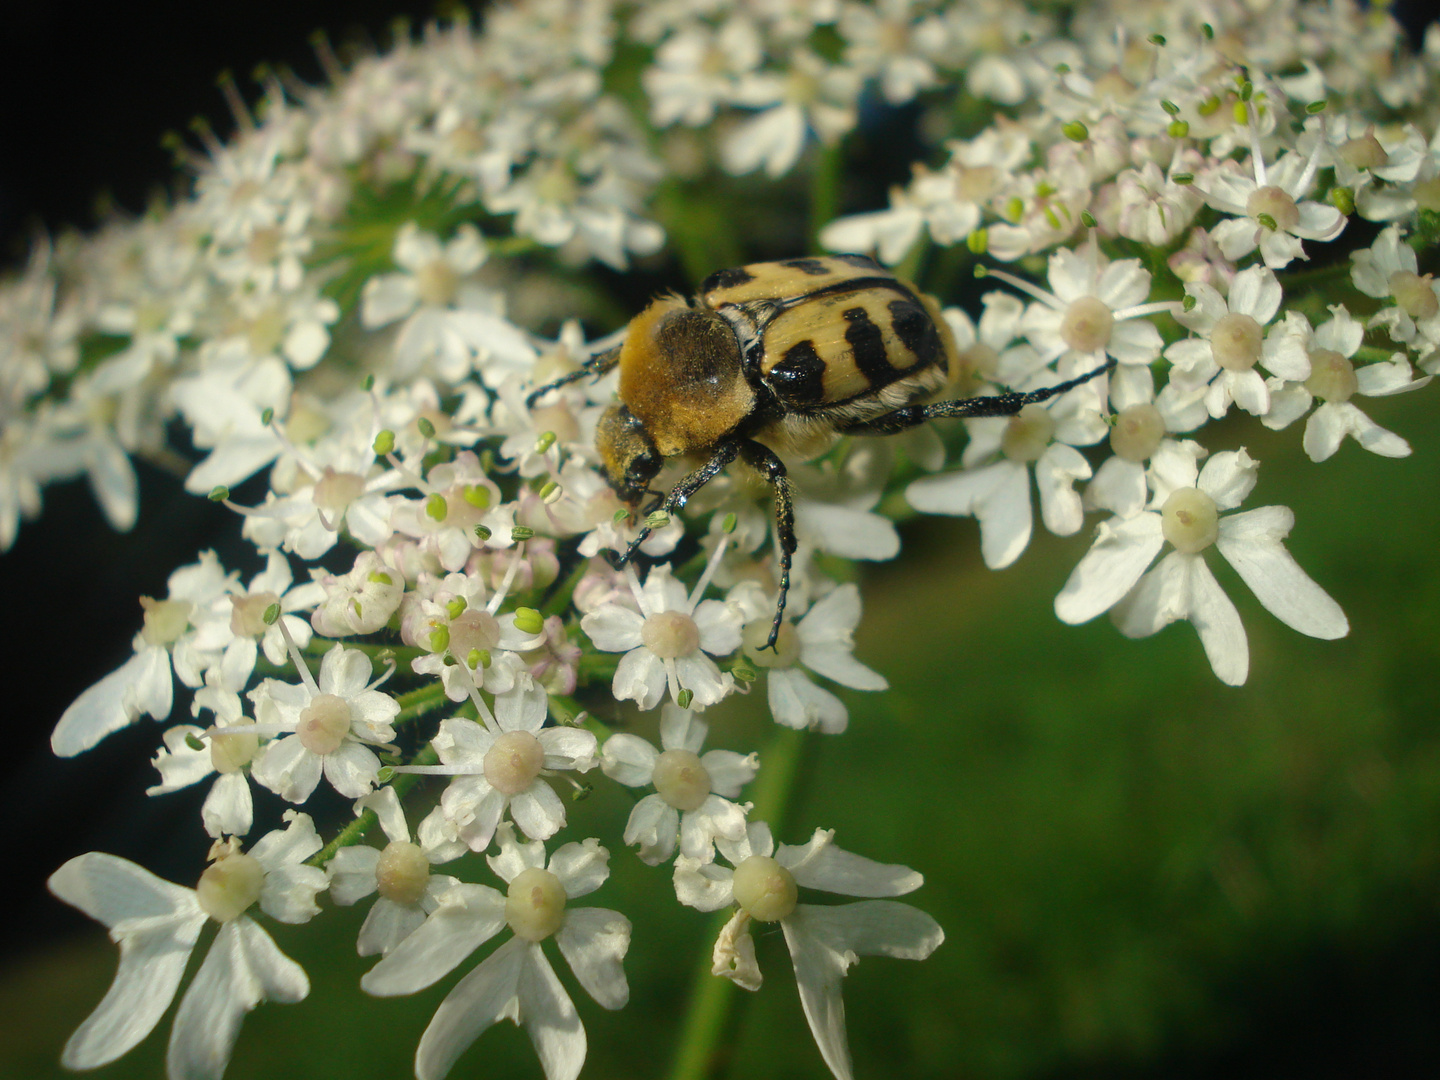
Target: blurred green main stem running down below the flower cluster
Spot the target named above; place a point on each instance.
(712, 1000)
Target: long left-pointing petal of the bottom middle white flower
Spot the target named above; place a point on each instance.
(467, 918)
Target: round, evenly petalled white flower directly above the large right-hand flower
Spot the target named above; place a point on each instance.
(1232, 342)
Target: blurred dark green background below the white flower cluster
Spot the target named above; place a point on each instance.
(1141, 872)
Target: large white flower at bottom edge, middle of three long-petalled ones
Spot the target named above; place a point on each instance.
(516, 983)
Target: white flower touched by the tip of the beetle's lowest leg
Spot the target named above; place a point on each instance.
(822, 642)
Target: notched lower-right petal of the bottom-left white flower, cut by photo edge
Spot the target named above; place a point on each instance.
(243, 970)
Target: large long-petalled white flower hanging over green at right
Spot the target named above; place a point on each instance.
(1182, 587)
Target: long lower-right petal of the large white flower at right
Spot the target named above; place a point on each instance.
(1252, 544)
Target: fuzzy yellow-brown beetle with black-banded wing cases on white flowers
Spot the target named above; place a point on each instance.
(777, 358)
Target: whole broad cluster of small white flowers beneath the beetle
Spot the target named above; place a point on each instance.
(433, 536)
